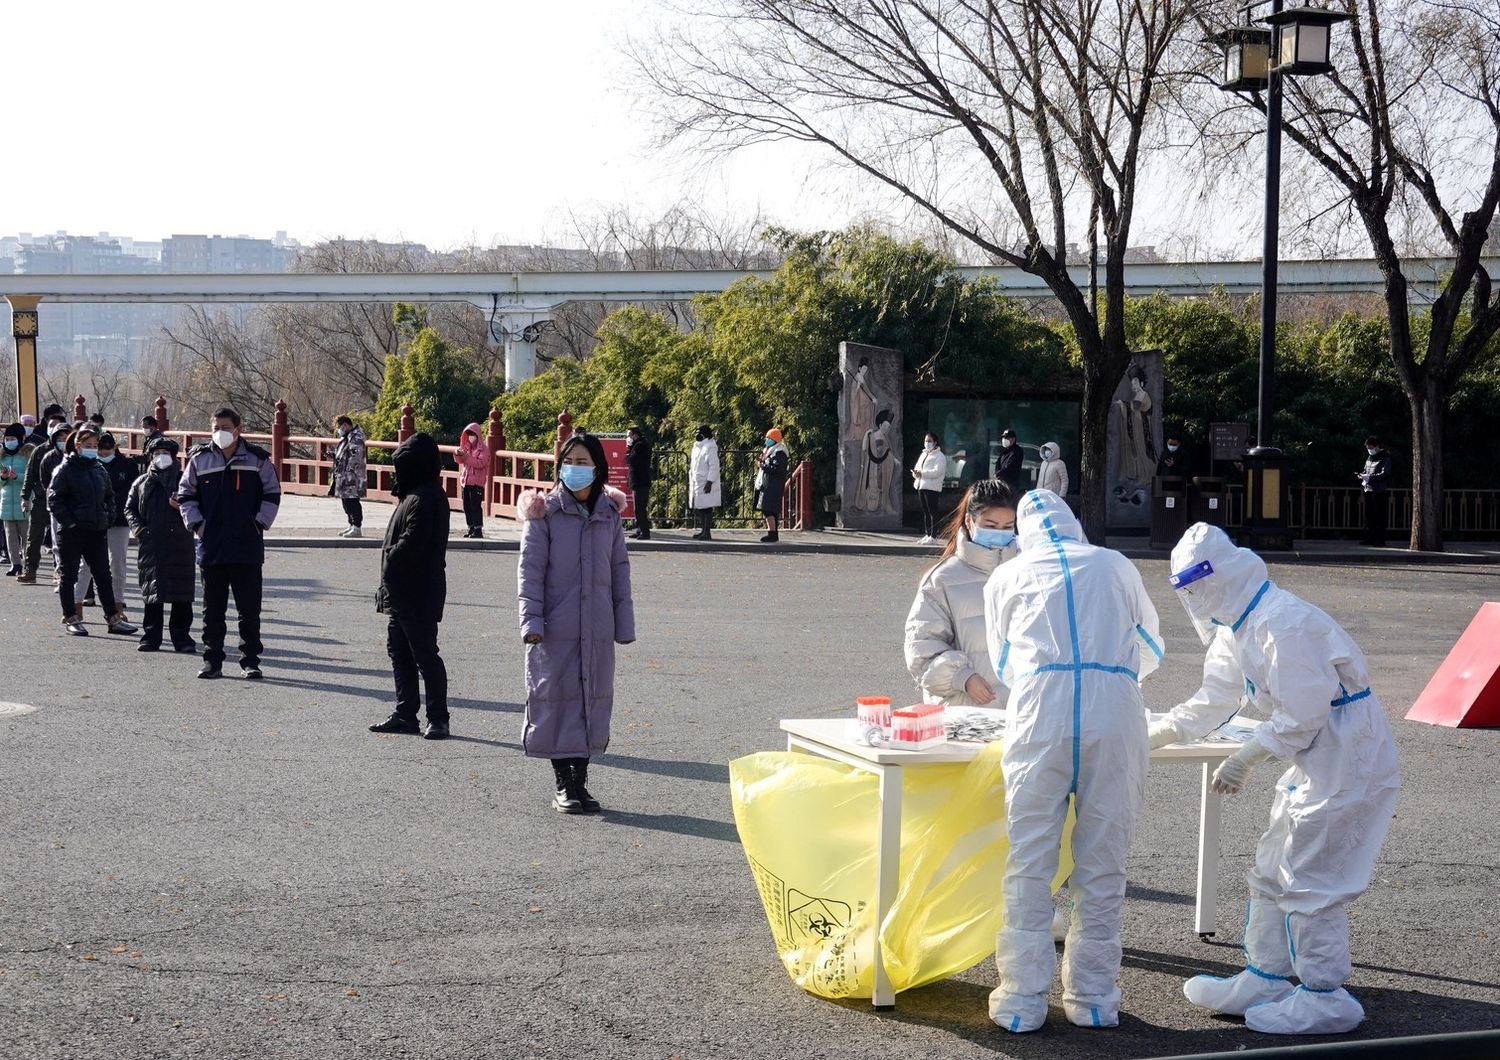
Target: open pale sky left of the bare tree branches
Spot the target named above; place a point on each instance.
(443, 122)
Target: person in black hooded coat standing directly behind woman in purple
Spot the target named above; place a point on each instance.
(413, 588)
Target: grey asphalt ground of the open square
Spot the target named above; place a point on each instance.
(238, 870)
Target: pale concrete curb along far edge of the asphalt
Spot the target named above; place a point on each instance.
(812, 546)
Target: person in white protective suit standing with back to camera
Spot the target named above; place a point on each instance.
(1073, 633)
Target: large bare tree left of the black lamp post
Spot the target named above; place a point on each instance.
(1010, 122)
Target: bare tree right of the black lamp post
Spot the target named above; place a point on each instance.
(1408, 134)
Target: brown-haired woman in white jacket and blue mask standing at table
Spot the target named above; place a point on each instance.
(947, 650)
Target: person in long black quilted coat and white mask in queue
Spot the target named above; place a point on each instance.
(166, 564)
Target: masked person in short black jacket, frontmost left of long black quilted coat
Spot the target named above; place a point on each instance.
(82, 502)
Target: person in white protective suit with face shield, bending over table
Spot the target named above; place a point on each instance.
(1333, 806)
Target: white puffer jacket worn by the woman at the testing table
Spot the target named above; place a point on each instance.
(946, 639)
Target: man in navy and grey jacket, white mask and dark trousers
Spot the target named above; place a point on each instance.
(230, 496)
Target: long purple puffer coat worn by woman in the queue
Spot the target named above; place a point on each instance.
(575, 594)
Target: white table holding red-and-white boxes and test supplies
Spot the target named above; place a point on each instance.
(832, 738)
